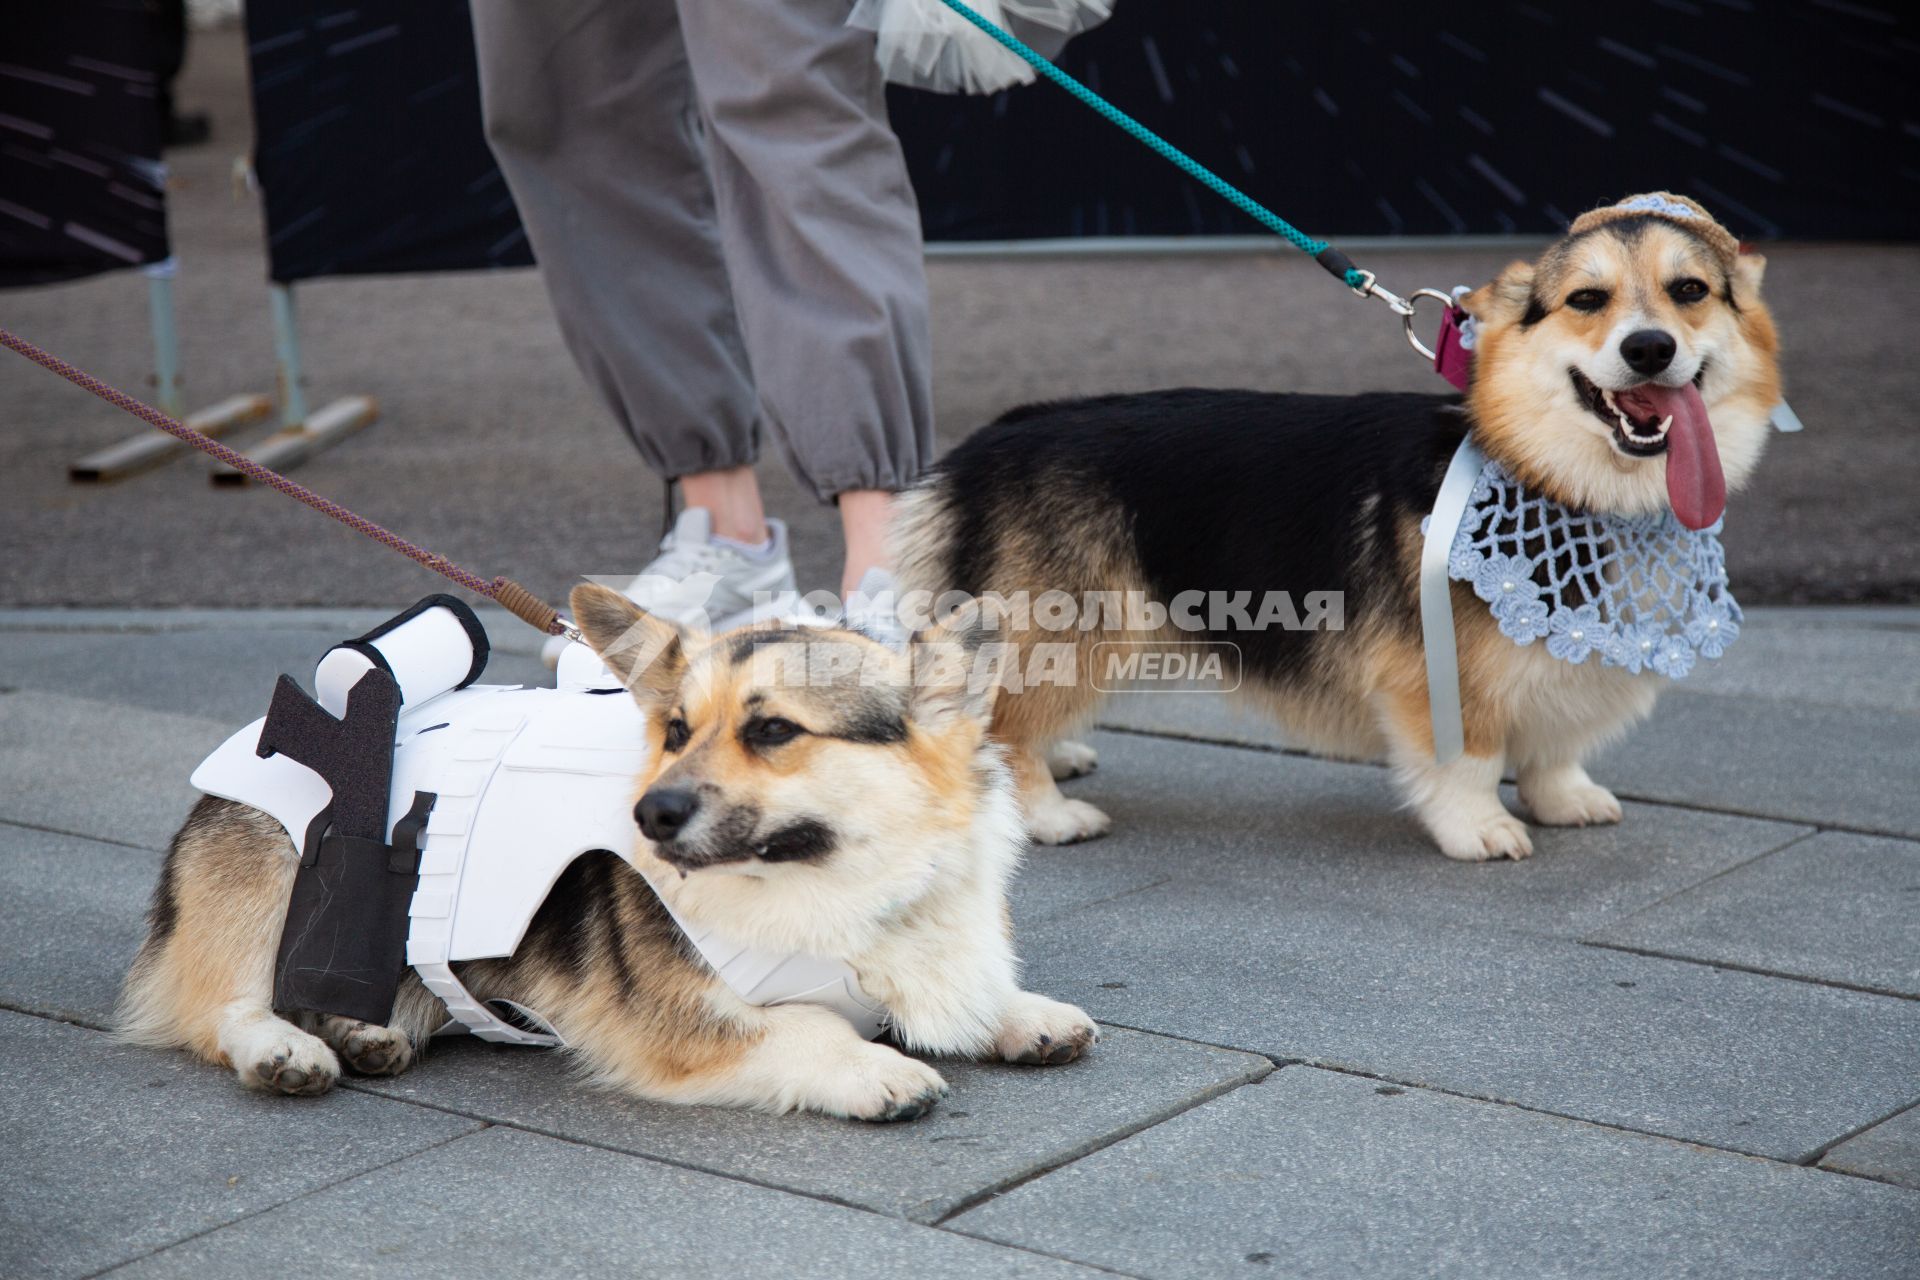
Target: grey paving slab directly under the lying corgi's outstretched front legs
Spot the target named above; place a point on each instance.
(999, 1126)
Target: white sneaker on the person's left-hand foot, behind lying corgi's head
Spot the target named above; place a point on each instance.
(706, 584)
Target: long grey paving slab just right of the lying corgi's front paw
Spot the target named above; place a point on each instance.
(1719, 1056)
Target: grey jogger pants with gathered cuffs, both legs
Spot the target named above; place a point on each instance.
(725, 225)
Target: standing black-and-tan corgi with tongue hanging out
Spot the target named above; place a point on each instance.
(1631, 371)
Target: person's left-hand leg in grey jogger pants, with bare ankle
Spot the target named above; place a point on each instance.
(592, 118)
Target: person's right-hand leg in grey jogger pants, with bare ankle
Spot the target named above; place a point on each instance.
(823, 247)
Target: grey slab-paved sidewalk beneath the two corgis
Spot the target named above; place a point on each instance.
(1689, 1045)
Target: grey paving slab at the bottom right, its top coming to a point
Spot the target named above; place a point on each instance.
(1324, 1175)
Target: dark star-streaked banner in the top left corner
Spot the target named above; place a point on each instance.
(82, 185)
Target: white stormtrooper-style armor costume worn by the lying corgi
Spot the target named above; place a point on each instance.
(525, 782)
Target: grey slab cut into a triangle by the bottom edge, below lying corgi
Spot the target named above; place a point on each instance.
(512, 1204)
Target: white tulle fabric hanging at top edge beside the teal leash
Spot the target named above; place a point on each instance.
(926, 45)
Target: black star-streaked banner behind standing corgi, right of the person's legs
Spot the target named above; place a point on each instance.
(1787, 118)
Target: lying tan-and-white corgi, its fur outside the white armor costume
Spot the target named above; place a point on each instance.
(807, 792)
